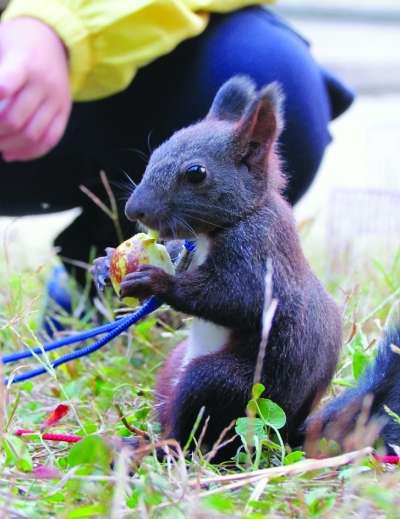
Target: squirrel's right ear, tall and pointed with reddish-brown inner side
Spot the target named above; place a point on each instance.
(261, 124)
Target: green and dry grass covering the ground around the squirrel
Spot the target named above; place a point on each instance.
(121, 377)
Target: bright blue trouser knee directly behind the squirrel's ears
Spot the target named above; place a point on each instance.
(253, 42)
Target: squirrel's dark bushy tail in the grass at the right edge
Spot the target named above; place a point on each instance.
(357, 416)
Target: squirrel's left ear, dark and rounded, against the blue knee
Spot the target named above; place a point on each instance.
(232, 99)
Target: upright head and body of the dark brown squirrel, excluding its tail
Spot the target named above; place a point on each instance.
(219, 182)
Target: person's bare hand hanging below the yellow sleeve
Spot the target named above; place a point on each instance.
(35, 99)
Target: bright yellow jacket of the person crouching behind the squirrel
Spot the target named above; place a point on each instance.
(108, 40)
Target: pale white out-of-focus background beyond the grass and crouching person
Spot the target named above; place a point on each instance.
(352, 212)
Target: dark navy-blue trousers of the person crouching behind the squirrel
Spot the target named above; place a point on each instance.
(170, 93)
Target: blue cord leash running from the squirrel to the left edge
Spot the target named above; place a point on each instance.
(111, 330)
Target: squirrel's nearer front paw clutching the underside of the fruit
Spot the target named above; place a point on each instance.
(145, 282)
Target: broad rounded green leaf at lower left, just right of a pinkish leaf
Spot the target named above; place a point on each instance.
(92, 450)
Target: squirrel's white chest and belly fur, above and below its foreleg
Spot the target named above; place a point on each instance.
(205, 337)
